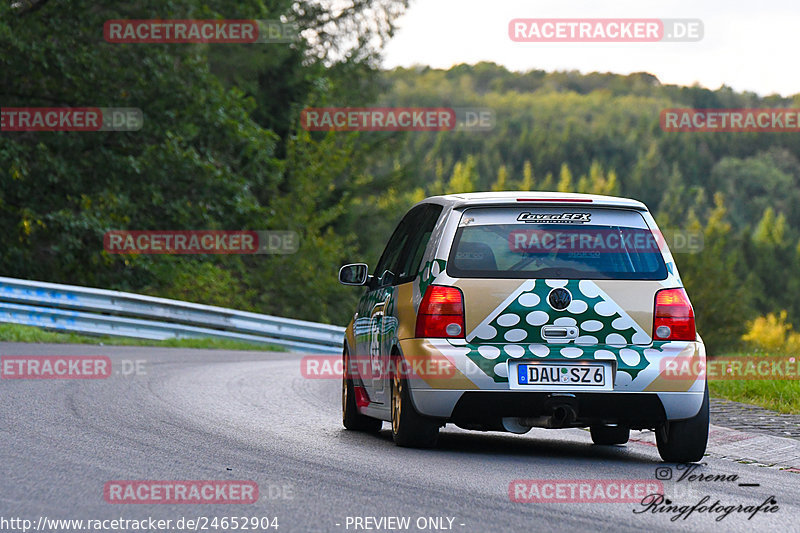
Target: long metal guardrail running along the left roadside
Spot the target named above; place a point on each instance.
(103, 312)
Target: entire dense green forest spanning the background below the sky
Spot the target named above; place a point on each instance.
(222, 148)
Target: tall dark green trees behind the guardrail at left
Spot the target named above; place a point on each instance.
(219, 148)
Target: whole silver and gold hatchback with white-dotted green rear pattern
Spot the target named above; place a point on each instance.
(507, 311)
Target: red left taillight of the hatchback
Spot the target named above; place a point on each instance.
(441, 313)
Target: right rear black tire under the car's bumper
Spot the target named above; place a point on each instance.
(684, 441)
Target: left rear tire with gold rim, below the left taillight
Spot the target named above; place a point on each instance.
(409, 428)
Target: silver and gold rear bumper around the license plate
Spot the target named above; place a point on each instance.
(465, 394)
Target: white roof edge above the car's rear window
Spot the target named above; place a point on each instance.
(530, 198)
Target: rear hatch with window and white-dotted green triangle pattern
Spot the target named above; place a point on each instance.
(557, 282)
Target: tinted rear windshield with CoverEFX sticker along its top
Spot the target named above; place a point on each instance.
(553, 244)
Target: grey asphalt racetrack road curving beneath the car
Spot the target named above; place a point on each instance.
(219, 415)
